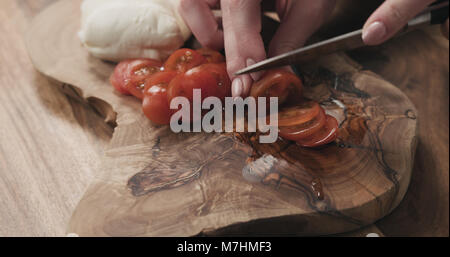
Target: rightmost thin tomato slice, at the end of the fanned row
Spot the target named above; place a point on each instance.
(324, 136)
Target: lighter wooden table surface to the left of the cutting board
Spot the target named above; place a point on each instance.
(50, 145)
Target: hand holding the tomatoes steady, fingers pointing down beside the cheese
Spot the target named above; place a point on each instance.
(241, 37)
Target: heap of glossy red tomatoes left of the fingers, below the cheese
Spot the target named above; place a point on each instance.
(157, 83)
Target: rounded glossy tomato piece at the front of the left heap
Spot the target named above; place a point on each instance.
(155, 104)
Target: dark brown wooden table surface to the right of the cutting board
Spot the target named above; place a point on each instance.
(424, 77)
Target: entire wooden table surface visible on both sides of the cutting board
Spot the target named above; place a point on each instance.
(41, 180)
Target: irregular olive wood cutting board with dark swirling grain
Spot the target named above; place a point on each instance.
(157, 183)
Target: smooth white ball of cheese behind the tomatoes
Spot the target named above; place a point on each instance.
(115, 30)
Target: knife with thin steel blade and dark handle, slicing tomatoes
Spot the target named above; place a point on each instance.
(435, 14)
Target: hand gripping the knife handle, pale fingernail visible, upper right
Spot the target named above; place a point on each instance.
(391, 17)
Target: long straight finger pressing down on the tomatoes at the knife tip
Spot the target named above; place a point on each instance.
(243, 42)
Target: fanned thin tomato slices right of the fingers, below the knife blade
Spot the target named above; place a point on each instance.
(299, 120)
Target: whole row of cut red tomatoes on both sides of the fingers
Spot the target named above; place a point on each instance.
(157, 83)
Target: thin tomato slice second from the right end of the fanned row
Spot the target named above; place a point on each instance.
(303, 131)
